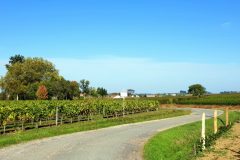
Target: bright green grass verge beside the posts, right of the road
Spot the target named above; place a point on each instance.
(178, 143)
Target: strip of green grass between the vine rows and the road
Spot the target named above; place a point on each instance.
(24, 136)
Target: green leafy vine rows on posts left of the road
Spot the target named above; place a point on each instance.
(23, 115)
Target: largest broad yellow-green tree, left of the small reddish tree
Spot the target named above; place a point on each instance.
(22, 75)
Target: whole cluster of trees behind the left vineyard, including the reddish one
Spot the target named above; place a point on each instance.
(36, 78)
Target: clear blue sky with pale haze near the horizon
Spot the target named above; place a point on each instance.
(147, 45)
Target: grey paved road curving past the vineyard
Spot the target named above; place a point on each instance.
(123, 142)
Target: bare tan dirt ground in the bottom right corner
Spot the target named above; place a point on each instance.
(226, 147)
